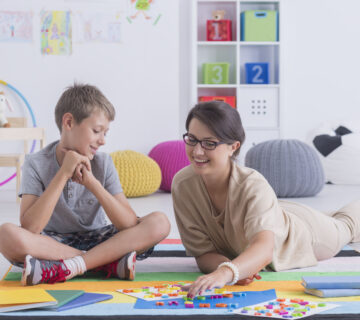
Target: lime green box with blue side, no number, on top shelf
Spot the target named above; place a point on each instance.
(259, 25)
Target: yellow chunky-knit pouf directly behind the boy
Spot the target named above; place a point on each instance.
(139, 175)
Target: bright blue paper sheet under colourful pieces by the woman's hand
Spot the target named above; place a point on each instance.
(252, 297)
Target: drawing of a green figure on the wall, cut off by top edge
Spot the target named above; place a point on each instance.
(144, 10)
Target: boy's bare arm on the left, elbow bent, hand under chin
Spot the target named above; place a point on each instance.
(35, 212)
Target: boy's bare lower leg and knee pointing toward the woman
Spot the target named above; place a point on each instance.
(150, 230)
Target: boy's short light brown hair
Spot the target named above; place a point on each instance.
(81, 100)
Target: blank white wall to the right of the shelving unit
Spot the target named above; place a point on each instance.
(321, 63)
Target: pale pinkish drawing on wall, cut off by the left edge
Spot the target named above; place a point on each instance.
(15, 26)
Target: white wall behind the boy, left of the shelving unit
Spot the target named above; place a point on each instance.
(140, 76)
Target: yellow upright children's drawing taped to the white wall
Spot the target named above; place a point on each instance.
(56, 37)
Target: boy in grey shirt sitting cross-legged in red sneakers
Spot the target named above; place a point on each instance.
(67, 188)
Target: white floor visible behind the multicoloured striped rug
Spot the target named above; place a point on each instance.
(330, 198)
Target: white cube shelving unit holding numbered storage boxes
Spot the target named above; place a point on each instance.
(258, 105)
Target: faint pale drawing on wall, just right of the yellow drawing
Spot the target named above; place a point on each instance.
(98, 27)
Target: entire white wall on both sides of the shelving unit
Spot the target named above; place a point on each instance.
(147, 77)
